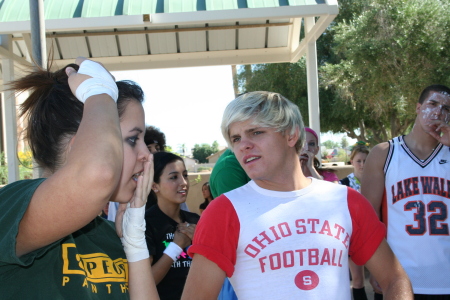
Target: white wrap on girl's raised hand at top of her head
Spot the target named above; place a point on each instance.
(101, 82)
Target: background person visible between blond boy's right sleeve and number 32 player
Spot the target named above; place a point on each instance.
(353, 180)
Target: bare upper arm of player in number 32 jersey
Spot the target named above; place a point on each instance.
(372, 183)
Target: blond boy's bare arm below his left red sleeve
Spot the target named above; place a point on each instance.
(204, 280)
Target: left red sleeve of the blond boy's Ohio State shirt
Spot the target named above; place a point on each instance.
(217, 234)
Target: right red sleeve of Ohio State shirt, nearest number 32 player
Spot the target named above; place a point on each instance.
(368, 230)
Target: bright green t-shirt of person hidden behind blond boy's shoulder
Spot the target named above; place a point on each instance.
(227, 174)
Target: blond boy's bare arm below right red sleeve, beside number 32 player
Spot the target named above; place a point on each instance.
(391, 277)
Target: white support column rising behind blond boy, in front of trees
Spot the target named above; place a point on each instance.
(312, 80)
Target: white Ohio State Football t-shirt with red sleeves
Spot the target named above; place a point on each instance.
(289, 245)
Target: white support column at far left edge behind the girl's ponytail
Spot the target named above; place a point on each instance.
(9, 113)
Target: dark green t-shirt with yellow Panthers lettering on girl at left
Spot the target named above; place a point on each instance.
(88, 264)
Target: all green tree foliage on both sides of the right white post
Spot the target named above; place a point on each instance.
(373, 63)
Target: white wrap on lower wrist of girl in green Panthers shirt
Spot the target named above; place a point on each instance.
(133, 231)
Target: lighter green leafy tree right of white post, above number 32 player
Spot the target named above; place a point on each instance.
(389, 53)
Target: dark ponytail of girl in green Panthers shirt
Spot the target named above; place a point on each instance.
(52, 113)
